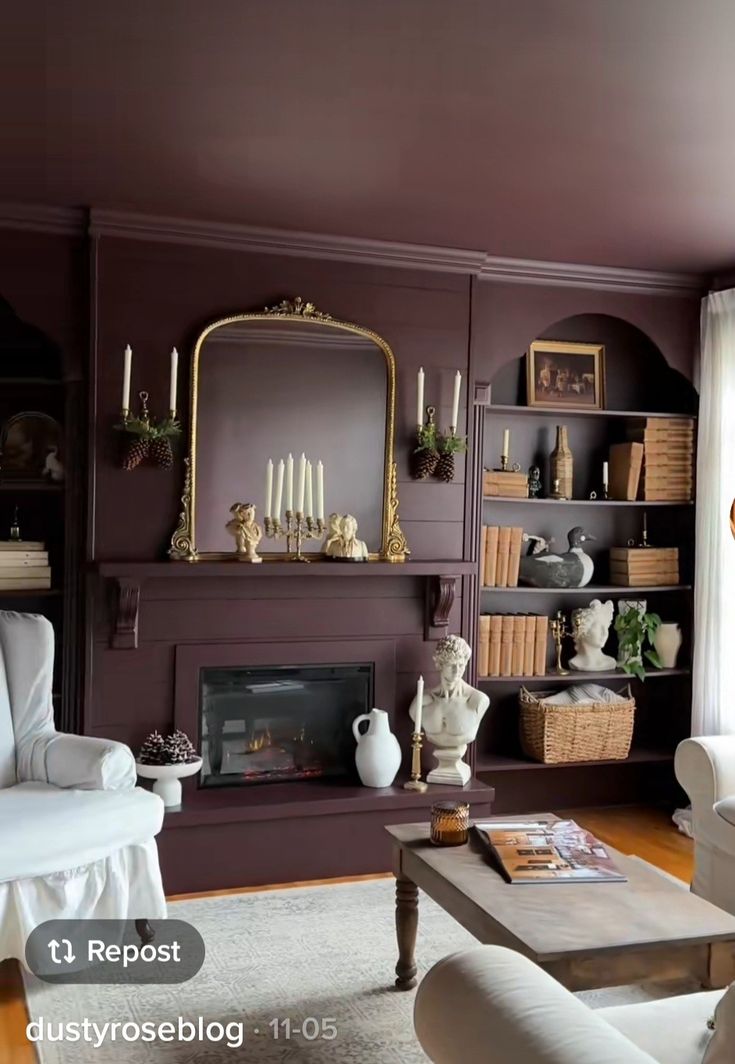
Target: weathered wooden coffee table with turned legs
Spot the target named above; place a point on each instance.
(584, 935)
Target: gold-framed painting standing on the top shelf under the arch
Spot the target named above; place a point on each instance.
(565, 376)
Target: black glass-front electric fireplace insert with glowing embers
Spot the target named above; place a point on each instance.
(273, 724)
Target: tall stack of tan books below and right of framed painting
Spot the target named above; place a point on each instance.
(669, 458)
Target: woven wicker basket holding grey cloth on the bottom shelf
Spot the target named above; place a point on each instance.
(589, 731)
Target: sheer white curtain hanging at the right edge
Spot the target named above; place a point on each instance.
(714, 664)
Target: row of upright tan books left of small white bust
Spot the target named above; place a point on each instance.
(513, 645)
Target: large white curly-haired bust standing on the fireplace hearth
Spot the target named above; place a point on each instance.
(452, 712)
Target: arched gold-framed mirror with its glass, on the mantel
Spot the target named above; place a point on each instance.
(290, 381)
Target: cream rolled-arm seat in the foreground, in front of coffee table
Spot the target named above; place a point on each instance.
(493, 1006)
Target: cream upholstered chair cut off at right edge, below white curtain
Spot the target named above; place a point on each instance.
(706, 769)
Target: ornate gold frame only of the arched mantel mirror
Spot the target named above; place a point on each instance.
(394, 547)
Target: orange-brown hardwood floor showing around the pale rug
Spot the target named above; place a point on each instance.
(642, 830)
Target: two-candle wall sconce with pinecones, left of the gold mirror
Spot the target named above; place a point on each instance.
(147, 440)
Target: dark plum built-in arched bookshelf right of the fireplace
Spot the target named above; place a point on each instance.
(663, 702)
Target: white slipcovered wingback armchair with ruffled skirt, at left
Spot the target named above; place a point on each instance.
(77, 837)
